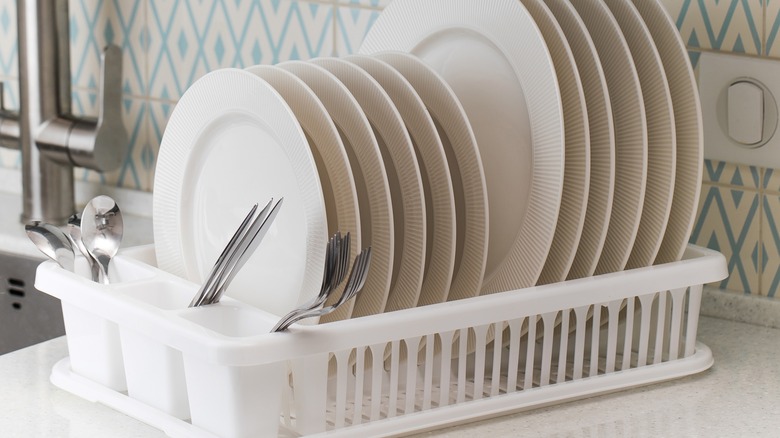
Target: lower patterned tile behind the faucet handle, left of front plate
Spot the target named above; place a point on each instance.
(135, 118)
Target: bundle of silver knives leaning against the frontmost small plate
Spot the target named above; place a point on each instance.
(238, 250)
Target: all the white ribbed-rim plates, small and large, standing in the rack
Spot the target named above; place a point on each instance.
(477, 147)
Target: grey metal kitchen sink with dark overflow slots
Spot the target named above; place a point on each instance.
(27, 315)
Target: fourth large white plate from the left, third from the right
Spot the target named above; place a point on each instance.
(628, 111)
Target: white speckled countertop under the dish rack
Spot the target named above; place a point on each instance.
(737, 397)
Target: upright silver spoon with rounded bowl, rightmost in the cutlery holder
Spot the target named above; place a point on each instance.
(101, 232)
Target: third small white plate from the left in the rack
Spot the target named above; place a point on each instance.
(376, 210)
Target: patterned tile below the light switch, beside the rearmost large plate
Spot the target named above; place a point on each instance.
(729, 221)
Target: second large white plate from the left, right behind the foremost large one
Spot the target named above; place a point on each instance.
(576, 179)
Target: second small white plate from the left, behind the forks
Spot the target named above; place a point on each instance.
(338, 184)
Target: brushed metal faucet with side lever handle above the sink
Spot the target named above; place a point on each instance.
(51, 139)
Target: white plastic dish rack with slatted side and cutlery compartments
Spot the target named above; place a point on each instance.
(216, 371)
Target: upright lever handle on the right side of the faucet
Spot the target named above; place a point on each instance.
(102, 144)
